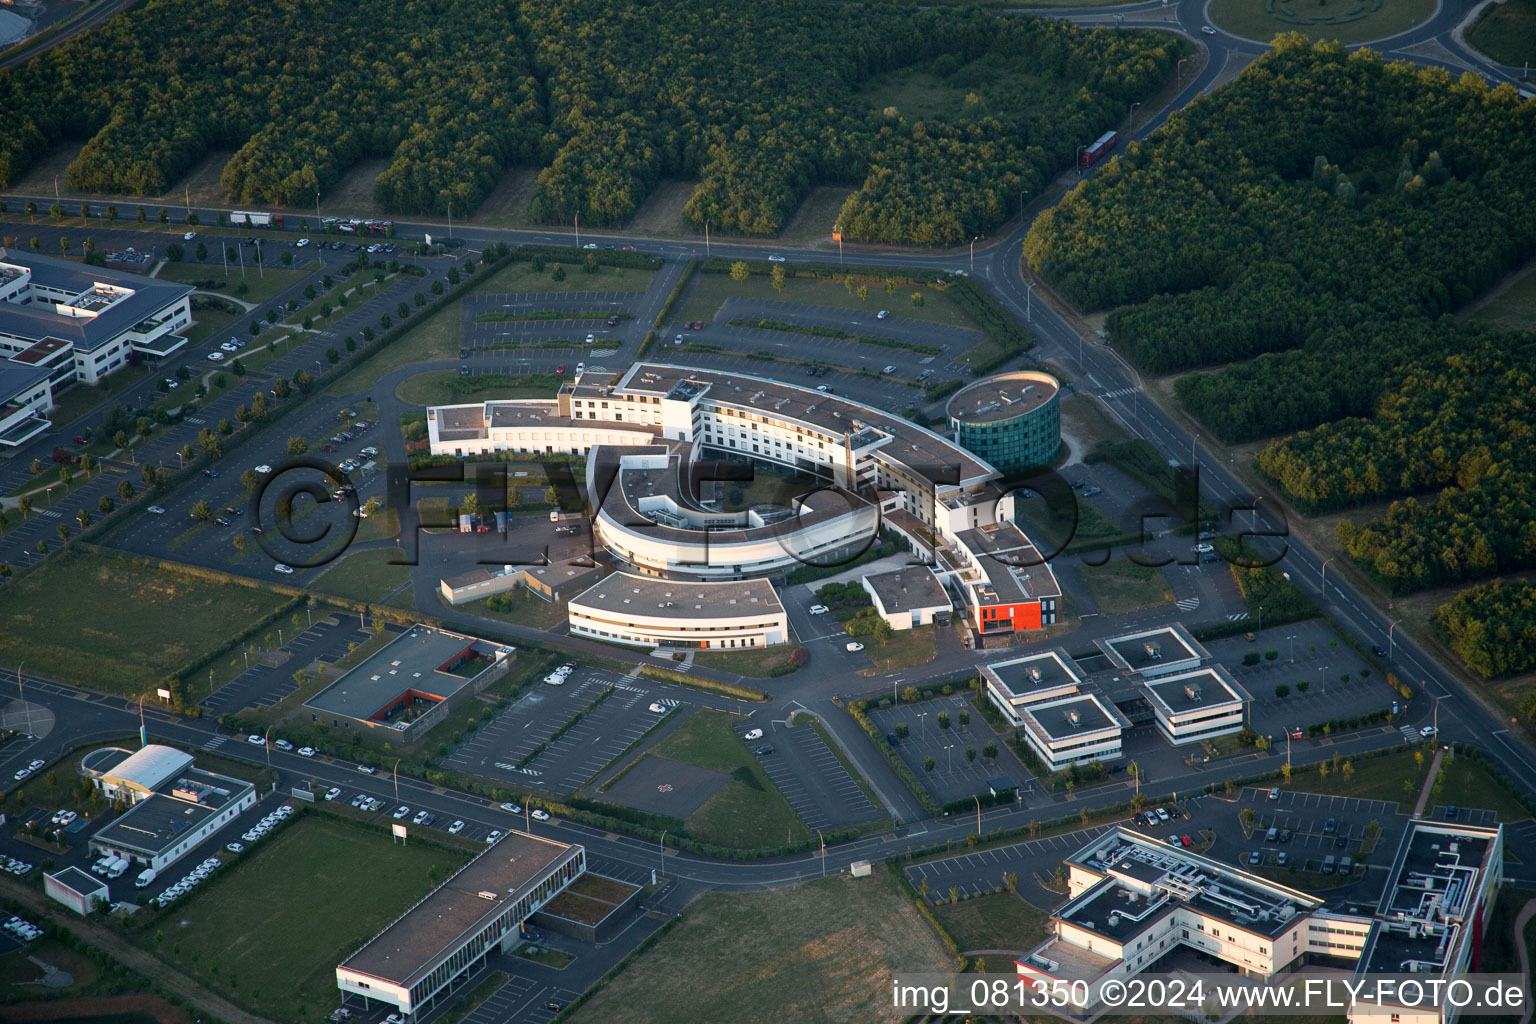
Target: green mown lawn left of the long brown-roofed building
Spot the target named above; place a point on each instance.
(270, 954)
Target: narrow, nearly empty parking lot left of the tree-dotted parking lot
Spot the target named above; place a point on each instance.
(809, 775)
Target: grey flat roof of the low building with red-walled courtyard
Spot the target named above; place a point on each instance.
(423, 659)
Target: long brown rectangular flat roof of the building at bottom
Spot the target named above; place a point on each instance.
(455, 911)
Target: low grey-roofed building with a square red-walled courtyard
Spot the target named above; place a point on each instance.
(411, 684)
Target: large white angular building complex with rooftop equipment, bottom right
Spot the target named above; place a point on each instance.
(1136, 903)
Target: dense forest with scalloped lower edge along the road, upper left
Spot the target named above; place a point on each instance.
(758, 102)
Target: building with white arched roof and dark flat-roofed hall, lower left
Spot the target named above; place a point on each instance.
(174, 807)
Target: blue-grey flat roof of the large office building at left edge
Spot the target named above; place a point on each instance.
(38, 320)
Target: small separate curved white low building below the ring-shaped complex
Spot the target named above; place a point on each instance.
(644, 612)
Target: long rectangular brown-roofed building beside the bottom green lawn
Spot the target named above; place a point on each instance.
(431, 951)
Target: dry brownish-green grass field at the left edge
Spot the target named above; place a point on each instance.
(139, 627)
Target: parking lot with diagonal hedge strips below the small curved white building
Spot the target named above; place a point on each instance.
(583, 751)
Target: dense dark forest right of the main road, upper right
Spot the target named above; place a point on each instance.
(1316, 225)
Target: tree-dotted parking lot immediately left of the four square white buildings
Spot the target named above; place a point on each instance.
(953, 778)
